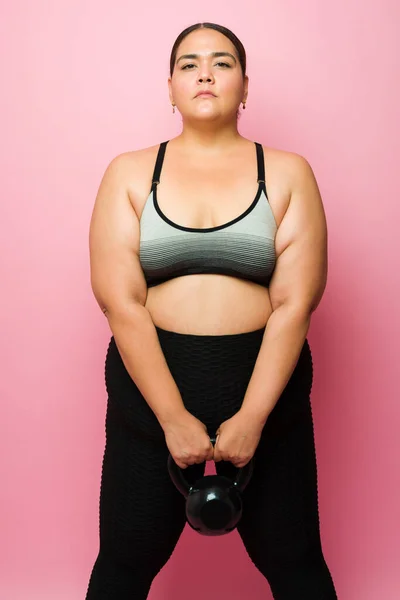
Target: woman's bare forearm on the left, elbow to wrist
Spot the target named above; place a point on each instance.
(137, 341)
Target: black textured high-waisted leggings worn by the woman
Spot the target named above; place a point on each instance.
(141, 512)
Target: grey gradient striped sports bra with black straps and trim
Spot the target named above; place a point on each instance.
(243, 247)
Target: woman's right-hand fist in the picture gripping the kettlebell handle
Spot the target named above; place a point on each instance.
(237, 439)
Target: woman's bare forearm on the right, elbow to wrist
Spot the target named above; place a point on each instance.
(280, 349)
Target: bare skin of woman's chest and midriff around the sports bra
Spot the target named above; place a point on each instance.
(219, 188)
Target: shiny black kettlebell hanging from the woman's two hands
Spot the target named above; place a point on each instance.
(214, 502)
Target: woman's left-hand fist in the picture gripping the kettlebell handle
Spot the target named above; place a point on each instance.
(187, 440)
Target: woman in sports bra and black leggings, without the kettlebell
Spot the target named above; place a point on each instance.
(208, 283)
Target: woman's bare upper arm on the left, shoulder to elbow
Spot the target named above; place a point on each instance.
(117, 278)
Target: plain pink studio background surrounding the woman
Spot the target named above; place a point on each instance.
(84, 81)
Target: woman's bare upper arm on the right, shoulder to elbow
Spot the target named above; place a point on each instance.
(300, 274)
